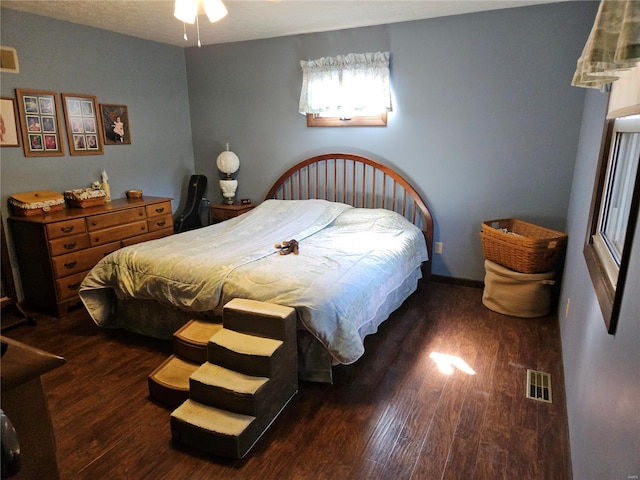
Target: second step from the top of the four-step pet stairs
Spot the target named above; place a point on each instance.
(243, 353)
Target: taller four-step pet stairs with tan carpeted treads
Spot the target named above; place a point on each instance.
(249, 377)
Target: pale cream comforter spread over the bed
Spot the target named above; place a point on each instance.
(350, 260)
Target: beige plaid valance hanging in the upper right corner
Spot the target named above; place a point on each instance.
(613, 44)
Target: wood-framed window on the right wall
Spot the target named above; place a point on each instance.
(614, 214)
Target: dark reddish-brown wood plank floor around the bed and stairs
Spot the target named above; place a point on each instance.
(391, 415)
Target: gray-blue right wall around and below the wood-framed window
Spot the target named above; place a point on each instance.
(602, 372)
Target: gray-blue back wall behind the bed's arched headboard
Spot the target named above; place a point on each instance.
(485, 122)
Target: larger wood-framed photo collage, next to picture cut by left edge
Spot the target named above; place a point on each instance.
(39, 113)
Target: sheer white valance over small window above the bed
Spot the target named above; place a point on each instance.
(346, 85)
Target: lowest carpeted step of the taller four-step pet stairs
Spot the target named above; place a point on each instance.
(214, 430)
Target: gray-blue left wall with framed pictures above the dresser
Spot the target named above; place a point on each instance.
(149, 78)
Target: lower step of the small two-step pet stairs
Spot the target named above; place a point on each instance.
(169, 383)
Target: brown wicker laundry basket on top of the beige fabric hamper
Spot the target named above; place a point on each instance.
(521, 246)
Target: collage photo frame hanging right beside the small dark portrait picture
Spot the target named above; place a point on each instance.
(83, 124)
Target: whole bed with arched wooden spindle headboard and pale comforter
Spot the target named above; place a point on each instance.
(365, 240)
